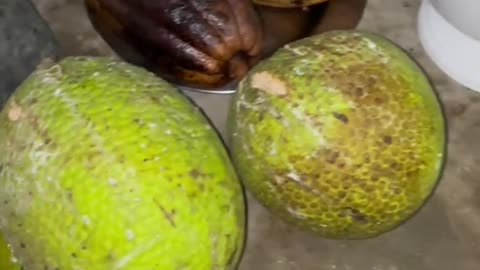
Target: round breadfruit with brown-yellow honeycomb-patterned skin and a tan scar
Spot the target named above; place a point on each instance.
(340, 134)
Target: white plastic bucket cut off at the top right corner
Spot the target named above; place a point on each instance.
(450, 34)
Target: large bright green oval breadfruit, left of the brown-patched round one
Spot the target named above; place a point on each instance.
(106, 167)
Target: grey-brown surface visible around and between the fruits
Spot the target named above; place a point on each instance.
(444, 235)
